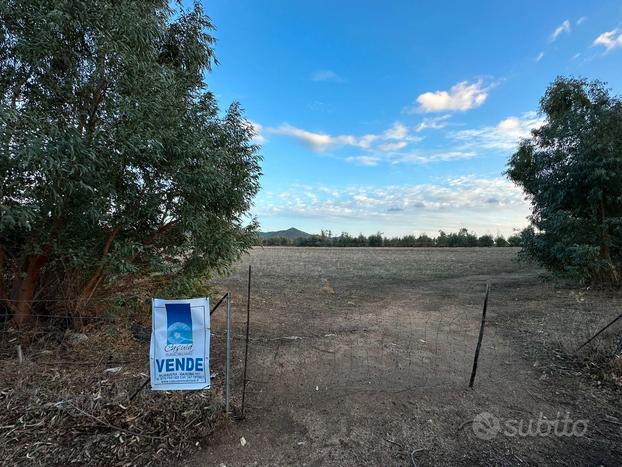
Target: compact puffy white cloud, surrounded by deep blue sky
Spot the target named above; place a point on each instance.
(462, 96)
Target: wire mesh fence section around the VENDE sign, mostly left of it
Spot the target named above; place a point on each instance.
(104, 333)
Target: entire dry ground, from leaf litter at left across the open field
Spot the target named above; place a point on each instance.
(341, 339)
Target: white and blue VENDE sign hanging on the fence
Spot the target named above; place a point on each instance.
(180, 341)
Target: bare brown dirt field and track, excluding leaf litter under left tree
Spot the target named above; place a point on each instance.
(362, 356)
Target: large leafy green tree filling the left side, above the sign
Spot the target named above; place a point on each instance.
(114, 157)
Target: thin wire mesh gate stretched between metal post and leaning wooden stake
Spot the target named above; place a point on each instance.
(386, 350)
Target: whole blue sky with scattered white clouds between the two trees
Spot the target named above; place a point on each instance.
(399, 116)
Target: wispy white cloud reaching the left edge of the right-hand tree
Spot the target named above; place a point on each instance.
(504, 136)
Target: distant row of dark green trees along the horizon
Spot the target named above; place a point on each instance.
(462, 238)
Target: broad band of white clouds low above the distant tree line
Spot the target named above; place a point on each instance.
(479, 203)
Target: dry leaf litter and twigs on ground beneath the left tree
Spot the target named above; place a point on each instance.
(69, 402)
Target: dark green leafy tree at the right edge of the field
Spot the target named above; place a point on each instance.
(571, 170)
